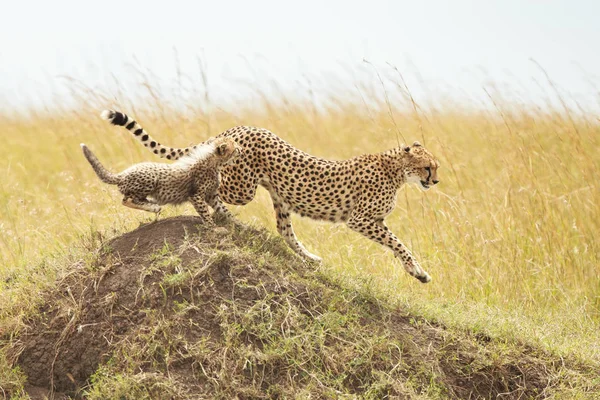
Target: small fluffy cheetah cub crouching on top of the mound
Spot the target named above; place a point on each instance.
(195, 178)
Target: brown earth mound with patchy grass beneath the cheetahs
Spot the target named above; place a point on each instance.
(172, 310)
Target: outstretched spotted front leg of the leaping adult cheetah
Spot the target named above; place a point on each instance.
(377, 231)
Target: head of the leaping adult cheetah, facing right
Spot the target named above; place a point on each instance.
(421, 166)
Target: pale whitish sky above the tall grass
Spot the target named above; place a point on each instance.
(456, 44)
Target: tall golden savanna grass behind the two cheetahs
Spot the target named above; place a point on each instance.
(509, 236)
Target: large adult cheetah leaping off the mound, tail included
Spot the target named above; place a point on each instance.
(360, 191)
